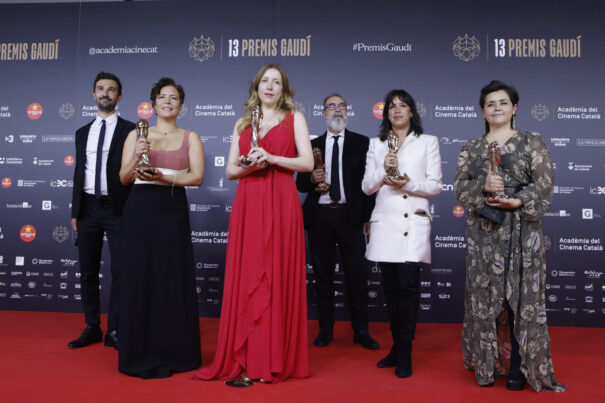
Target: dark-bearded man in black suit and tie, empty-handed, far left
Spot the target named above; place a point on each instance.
(98, 200)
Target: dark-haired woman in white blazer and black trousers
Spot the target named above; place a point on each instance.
(401, 223)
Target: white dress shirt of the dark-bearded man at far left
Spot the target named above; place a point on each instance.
(91, 152)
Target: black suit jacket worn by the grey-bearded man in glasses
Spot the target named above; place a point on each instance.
(359, 206)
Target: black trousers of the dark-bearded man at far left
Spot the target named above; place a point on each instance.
(97, 218)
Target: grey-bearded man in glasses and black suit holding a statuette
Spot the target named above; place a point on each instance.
(338, 217)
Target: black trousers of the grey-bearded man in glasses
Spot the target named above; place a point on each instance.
(331, 229)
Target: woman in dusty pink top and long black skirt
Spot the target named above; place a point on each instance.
(159, 322)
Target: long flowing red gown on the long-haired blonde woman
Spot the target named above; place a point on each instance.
(263, 325)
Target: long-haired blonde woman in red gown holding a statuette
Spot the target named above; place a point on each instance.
(263, 325)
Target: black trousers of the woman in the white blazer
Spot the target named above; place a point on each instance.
(401, 285)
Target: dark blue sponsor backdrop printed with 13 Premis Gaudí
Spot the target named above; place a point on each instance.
(441, 52)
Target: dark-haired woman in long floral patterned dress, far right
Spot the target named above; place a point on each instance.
(505, 264)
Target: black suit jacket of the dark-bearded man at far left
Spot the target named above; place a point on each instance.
(116, 191)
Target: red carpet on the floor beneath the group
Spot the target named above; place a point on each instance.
(36, 366)
